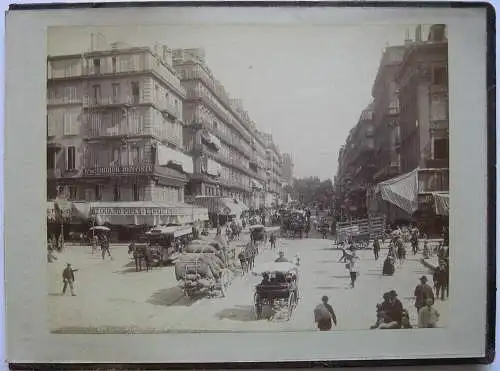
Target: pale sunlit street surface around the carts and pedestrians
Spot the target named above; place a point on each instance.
(112, 297)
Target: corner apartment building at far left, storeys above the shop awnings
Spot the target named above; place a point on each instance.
(115, 126)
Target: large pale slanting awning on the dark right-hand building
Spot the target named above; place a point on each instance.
(401, 191)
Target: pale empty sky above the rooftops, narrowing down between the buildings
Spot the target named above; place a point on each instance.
(307, 85)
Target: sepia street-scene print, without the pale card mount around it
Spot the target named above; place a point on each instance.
(232, 178)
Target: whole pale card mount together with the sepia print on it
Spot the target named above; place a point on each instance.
(280, 176)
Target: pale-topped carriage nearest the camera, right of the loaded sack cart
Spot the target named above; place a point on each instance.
(278, 290)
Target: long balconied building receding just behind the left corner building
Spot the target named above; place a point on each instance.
(229, 155)
